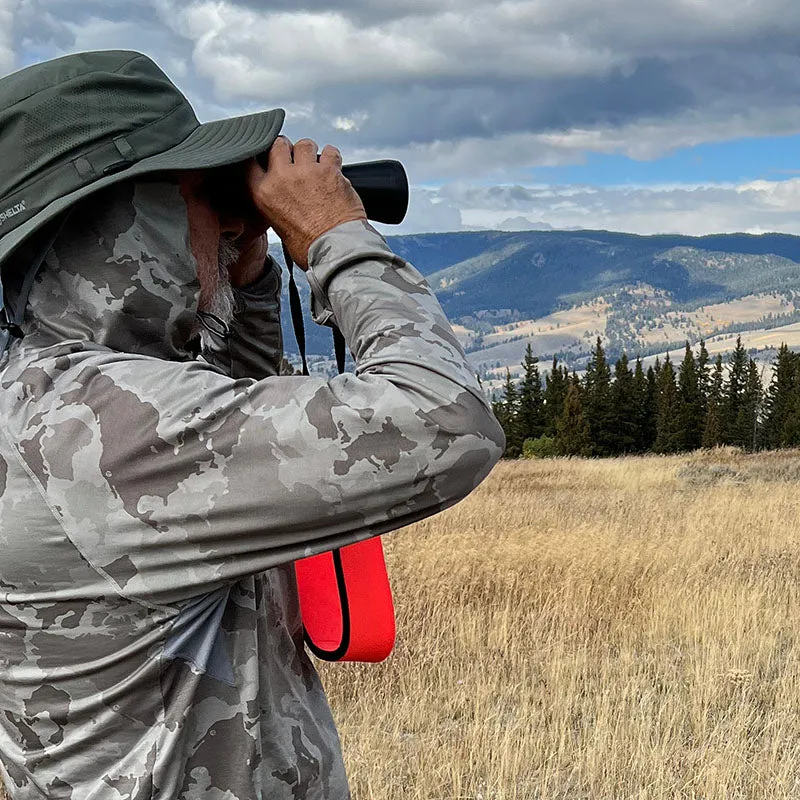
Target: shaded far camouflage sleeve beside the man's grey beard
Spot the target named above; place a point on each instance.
(253, 345)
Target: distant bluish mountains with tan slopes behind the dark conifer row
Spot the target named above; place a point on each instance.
(559, 289)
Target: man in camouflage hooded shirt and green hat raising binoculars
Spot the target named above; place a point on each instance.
(152, 501)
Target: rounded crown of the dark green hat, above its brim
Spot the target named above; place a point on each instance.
(73, 119)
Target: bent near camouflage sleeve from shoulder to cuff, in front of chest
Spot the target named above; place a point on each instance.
(173, 479)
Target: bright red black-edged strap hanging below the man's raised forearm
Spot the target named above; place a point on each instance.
(346, 603)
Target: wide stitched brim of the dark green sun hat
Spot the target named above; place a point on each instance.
(210, 145)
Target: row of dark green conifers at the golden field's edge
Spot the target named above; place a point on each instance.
(667, 408)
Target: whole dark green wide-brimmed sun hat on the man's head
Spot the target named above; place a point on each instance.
(75, 125)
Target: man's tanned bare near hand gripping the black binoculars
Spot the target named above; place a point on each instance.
(302, 198)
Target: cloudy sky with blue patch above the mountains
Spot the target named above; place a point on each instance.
(648, 116)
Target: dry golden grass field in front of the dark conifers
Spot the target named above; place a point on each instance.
(591, 629)
